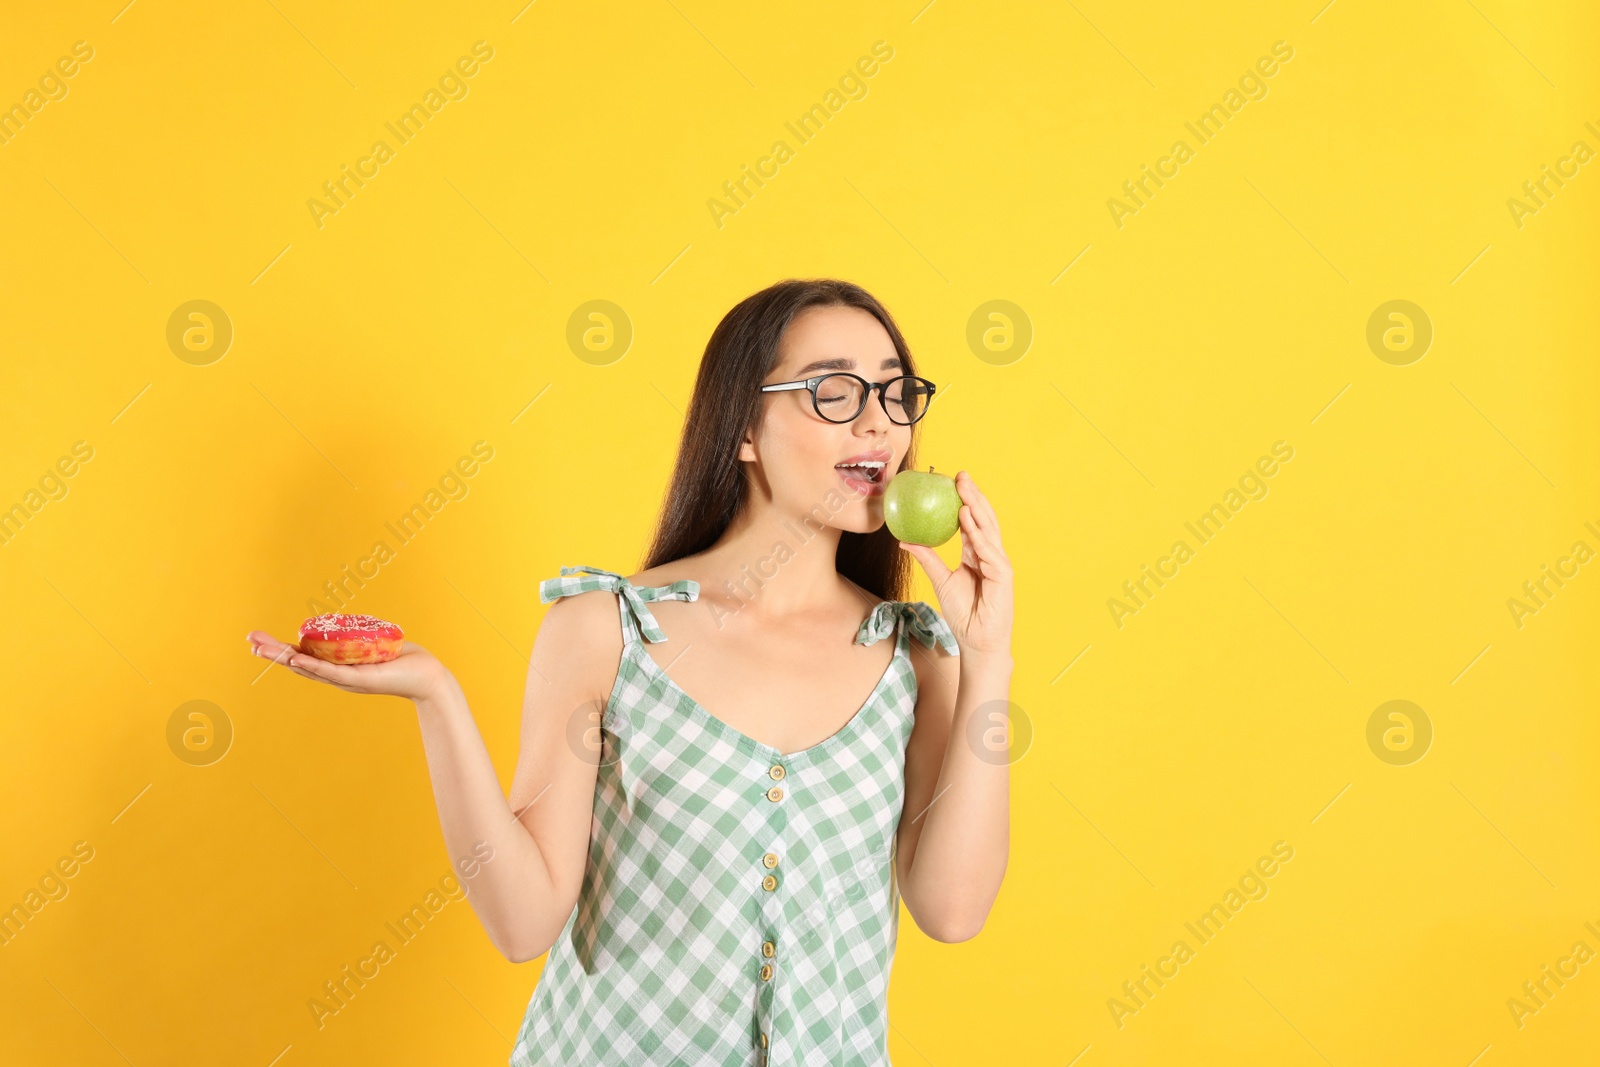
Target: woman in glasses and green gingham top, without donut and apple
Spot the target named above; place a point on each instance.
(718, 882)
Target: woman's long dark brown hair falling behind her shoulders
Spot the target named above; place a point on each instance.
(710, 486)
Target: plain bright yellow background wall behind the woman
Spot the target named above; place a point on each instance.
(428, 314)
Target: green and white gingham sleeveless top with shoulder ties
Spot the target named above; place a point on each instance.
(740, 905)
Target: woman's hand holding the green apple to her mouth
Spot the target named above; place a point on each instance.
(977, 597)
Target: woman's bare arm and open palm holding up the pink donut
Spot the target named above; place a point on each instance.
(537, 841)
